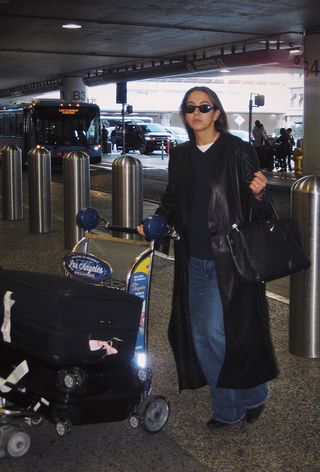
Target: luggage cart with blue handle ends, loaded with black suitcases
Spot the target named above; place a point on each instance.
(109, 386)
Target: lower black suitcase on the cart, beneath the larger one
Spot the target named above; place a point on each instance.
(80, 394)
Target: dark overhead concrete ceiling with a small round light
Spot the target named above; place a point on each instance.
(131, 40)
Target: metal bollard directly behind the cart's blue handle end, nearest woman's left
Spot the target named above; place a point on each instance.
(127, 193)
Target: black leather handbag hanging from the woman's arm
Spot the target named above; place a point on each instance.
(267, 248)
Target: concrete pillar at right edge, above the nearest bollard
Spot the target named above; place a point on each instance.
(311, 141)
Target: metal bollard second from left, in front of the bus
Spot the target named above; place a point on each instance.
(39, 170)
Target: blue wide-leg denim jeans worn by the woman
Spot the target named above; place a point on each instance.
(207, 325)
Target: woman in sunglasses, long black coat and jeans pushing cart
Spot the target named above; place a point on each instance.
(219, 329)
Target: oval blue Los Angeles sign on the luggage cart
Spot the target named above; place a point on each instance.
(87, 267)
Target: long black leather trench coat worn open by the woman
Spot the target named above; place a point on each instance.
(249, 358)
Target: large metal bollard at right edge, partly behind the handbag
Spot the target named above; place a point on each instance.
(304, 308)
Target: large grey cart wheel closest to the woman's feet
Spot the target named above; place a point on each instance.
(155, 413)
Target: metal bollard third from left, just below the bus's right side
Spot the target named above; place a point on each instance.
(76, 190)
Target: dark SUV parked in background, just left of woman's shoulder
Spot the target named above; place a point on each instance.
(147, 137)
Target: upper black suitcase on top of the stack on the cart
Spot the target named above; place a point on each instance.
(66, 322)
